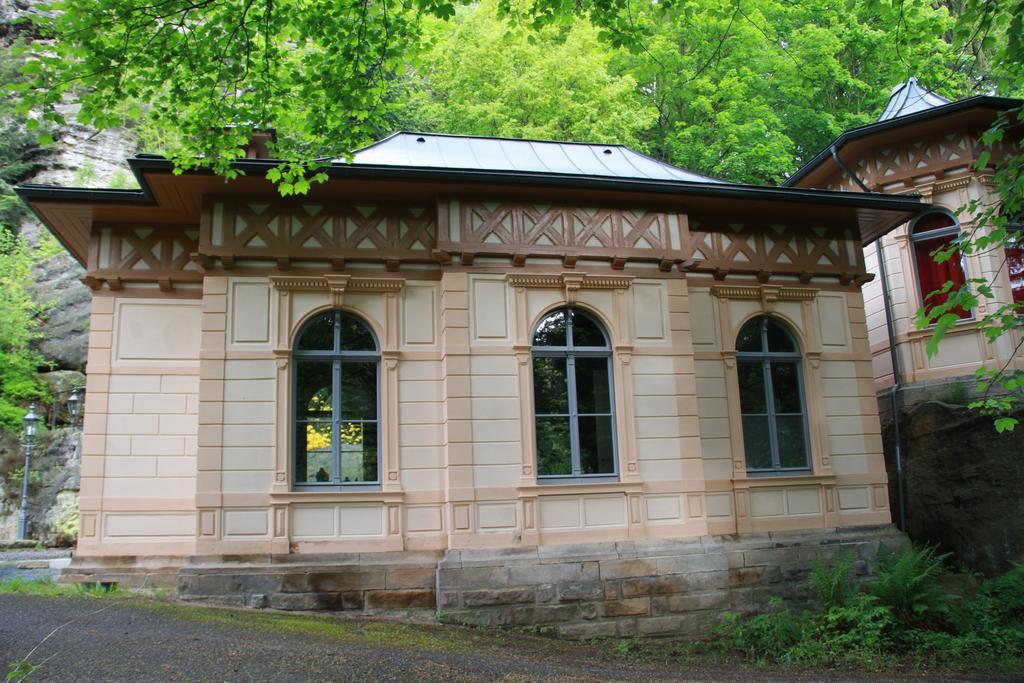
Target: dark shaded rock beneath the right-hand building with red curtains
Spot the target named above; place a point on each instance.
(963, 484)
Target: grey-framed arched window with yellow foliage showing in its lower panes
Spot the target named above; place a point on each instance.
(336, 379)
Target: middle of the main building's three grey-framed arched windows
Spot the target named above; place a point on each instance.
(573, 398)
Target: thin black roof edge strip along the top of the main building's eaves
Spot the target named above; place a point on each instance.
(727, 191)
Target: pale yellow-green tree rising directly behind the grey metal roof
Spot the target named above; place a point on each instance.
(481, 77)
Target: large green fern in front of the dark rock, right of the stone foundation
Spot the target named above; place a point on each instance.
(907, 584)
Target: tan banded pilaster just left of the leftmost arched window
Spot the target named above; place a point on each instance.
(211, 414)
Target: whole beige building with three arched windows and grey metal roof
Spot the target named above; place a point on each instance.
(461, 356)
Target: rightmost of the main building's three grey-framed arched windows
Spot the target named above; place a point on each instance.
(772, 399)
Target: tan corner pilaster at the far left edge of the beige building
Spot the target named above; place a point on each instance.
(91, 498)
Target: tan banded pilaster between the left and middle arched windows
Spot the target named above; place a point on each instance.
(458, 433)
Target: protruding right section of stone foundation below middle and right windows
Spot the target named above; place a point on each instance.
(646, 588)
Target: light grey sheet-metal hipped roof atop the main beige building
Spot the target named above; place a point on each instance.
(495, 154)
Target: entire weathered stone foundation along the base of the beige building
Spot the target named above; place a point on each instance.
(636, 588)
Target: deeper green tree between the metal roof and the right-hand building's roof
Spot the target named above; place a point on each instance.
(751, 90)
